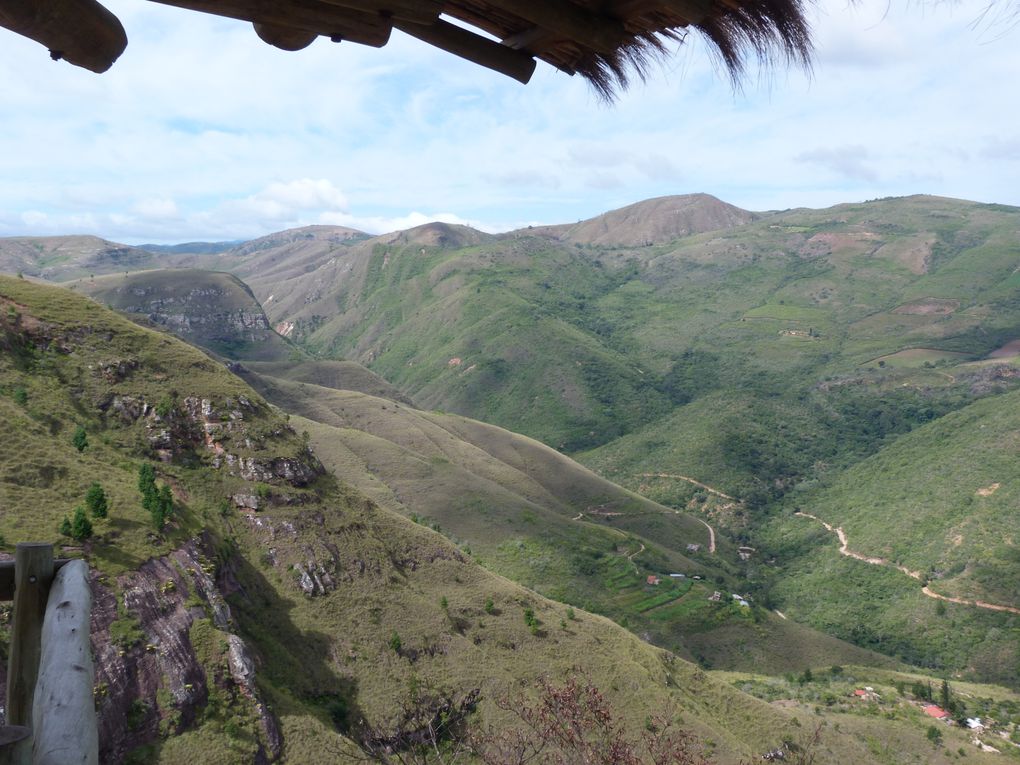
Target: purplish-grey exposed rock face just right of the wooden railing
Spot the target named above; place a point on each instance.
(154, 682)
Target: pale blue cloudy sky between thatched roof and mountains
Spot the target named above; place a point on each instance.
(201, 132)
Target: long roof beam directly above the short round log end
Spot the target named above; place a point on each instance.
(312, 16)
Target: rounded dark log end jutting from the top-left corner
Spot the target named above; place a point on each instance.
(81, 32)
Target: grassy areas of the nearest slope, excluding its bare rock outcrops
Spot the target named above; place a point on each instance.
(335, 644)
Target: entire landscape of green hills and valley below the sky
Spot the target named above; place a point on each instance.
(647, 431)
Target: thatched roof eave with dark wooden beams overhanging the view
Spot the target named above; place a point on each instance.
(606, 41)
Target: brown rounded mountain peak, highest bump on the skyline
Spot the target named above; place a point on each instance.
(651, 222)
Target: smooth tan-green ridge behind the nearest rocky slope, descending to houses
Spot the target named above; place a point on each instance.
(515, 504)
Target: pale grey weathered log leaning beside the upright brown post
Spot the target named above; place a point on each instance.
(65, 725)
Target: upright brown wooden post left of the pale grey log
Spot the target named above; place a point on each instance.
(33, 575)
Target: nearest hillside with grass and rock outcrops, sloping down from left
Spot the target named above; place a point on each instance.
(309, 589)
